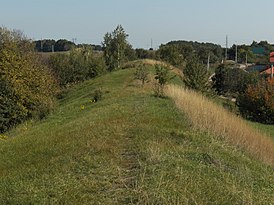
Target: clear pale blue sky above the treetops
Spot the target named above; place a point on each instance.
(161, 20)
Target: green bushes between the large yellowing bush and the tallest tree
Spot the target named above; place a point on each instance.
(76, 66)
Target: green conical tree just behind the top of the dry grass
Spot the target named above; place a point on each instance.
(196, 76)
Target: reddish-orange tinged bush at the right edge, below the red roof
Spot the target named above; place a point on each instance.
(257, 103)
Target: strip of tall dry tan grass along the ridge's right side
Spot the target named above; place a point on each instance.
(207, 116)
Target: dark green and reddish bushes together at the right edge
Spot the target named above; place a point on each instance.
(255, 95)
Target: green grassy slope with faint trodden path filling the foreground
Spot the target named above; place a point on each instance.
(129, 148)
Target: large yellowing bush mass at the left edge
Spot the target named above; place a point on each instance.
(27, 87)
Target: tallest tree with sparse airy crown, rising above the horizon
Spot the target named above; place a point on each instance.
(115, 45)
